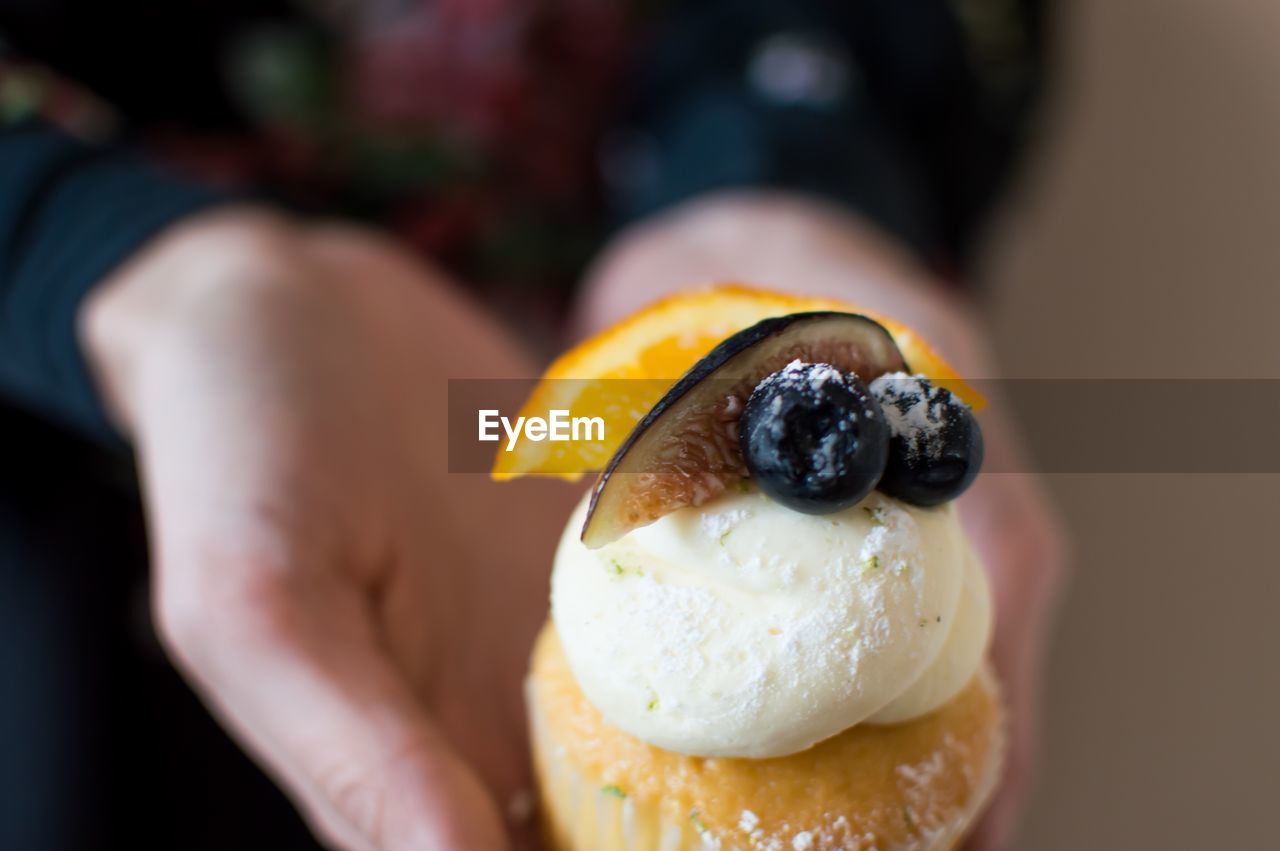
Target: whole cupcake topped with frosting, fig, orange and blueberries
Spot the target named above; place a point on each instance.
(769, 629)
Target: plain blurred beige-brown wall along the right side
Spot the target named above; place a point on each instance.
(1144, 244)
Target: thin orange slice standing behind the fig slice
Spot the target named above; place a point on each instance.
(621, 373)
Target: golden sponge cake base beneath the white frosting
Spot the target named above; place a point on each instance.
(918, 785)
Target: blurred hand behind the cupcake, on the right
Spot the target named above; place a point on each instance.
(784, 243)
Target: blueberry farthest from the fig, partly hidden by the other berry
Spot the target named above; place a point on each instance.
(936, 446)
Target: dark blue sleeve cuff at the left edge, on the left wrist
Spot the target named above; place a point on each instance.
(70, 213)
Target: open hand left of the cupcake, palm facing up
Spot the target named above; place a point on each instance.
(359, 619)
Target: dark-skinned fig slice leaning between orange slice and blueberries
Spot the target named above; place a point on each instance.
(685, 451)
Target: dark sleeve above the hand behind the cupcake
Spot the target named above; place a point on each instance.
(903, 111)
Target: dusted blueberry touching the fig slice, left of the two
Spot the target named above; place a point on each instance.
(815, 438)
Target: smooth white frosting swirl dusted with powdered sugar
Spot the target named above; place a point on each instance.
(746, 629)
